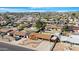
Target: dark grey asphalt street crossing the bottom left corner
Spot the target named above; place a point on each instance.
(10, 47)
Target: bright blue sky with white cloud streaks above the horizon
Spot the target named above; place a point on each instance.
(39, 9)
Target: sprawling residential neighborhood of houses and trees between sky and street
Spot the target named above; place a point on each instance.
(40, 31)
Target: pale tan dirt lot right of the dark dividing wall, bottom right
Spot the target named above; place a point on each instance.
(66, 47)
